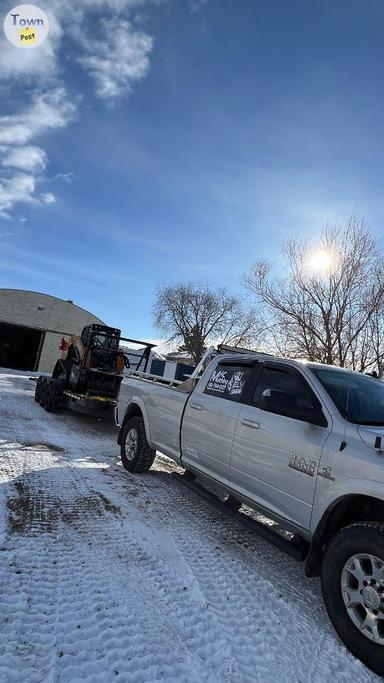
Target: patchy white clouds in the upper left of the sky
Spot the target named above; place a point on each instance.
(112, 51)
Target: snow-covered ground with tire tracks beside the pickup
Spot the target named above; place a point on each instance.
(106, 576)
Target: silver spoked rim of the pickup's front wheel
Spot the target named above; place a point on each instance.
(362, 588)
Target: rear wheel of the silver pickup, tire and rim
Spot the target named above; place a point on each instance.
(136, 454)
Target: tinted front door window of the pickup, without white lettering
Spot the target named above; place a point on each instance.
(283, 392)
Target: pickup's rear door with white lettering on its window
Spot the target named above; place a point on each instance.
(210, 418)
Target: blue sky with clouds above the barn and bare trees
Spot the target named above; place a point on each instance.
(149, 142)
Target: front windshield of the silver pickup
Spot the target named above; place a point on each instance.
(359, 398)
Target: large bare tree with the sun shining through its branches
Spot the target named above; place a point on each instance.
(329, 307)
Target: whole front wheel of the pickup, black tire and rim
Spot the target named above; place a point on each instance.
(352, 579)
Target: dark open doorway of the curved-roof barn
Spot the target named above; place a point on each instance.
(20, 347)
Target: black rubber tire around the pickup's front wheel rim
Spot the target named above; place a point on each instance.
(360, 538)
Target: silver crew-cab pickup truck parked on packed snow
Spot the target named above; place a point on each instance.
(302, 443)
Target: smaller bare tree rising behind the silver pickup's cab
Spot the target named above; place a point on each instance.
(194, 314)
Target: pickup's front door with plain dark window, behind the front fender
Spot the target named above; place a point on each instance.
(278, 442)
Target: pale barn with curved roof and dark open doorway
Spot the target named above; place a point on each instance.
(31, 326)
